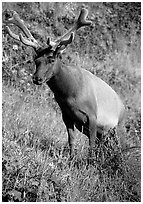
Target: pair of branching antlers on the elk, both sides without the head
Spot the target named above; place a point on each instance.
(31, 41)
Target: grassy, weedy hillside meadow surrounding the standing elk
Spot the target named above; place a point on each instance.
(35, 159)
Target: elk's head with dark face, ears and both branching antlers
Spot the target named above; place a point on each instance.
(46, 57)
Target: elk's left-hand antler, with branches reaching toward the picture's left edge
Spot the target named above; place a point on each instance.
(30, 40)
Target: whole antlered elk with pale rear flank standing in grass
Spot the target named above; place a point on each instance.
(86, 102)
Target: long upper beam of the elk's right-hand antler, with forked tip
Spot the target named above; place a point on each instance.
(81, 21)
